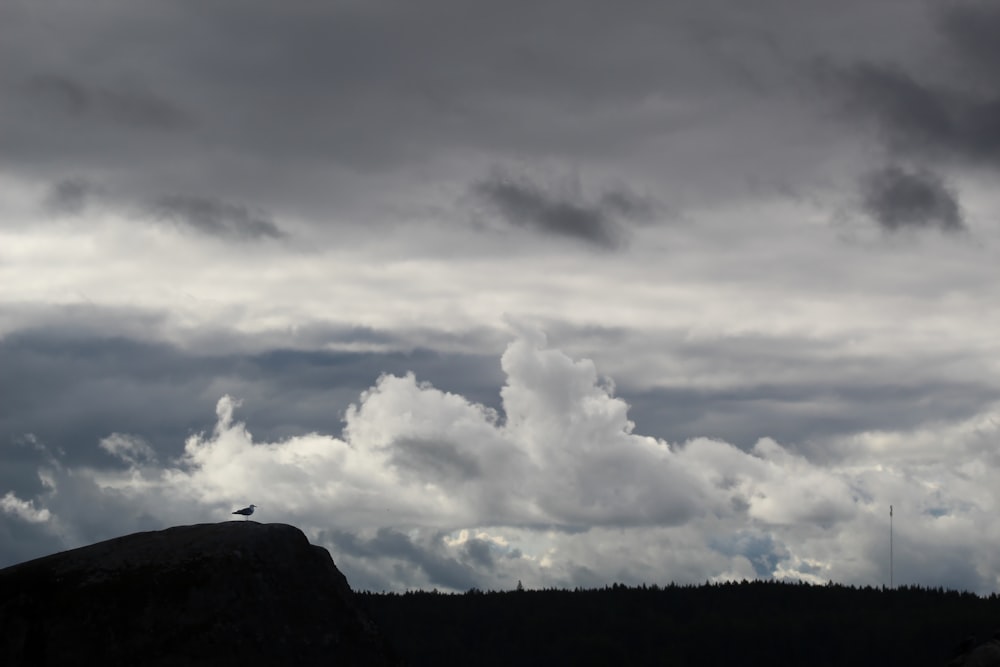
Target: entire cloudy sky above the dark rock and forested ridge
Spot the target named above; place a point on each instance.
(567, 292)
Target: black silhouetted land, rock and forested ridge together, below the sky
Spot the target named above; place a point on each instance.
(243, 593)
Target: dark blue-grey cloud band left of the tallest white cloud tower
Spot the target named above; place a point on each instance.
(69, 385)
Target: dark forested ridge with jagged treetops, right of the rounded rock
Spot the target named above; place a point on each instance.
(738, 623)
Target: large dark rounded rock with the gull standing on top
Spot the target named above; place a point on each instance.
(211, 594)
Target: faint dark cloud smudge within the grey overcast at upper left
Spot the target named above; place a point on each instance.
(125, 104)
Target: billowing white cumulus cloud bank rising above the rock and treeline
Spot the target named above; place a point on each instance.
(425, 488)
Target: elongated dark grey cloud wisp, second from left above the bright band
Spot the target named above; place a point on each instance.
(217, 218)
